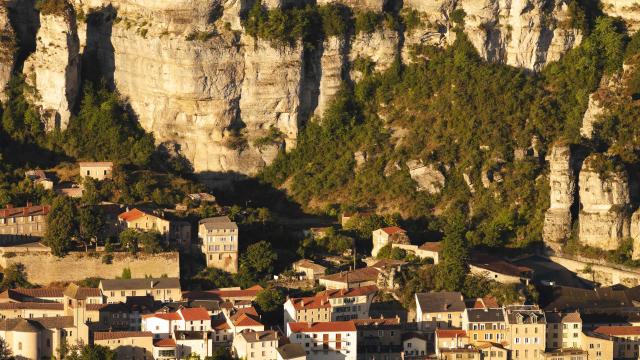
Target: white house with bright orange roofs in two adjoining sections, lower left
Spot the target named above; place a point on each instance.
(162, 325)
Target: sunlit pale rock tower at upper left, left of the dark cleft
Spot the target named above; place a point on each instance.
(53, 70)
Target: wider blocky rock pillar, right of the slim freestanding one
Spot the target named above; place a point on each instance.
(604, 216)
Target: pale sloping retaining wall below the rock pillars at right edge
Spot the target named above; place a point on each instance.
(606, 275)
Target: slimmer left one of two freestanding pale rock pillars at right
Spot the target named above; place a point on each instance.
(557, 219)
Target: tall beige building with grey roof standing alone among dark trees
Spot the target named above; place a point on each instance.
(219, 238)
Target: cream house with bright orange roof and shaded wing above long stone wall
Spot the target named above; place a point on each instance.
(177, 232)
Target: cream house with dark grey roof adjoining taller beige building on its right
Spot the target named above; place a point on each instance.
(484, 325)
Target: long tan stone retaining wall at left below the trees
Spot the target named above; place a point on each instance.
(44, 268)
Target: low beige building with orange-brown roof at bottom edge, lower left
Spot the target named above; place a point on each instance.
(128, 345)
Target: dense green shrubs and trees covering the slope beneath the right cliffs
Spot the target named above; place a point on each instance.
(468, 118)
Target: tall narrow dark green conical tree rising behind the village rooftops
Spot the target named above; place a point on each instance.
(453, 267)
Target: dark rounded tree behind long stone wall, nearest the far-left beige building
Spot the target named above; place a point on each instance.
(61, 225)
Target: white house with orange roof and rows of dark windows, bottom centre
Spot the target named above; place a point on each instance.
(325, 340)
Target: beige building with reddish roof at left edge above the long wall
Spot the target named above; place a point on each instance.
(24, 224)
